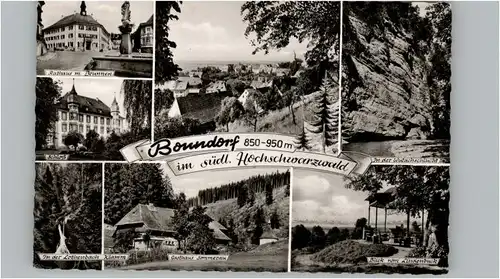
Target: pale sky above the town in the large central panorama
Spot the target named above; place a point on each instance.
(215, 31)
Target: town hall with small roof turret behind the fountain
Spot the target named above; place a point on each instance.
(77, 32)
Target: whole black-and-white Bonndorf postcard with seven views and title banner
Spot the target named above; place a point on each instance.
(243, 136)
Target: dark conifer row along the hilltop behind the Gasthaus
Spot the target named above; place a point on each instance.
(242, 189)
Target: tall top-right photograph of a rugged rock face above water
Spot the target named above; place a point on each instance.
(396, 81)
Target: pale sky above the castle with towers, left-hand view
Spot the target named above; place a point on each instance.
(104, 89)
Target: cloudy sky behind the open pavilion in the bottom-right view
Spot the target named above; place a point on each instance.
(322, 198)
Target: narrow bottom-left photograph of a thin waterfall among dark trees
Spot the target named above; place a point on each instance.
(67, 213)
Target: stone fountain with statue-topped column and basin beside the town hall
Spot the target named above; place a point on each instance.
(126, 63)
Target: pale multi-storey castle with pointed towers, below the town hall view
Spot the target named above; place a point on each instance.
(82, 114)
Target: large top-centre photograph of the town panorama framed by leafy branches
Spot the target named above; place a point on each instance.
(262, 67)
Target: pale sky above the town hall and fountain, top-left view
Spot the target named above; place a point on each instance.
(107, 13)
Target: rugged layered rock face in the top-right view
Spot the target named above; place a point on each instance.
(392, 100)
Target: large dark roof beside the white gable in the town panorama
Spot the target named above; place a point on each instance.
(202, 107)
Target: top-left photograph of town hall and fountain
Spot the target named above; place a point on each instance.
(93, 36)
